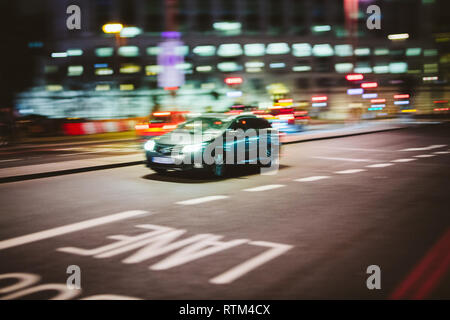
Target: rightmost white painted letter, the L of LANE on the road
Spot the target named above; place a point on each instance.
(276, 250)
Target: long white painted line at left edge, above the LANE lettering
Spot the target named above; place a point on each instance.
(50, 233)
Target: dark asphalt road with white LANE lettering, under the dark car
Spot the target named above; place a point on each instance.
(335, 207)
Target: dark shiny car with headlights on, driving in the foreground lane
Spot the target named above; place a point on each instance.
(214, 142)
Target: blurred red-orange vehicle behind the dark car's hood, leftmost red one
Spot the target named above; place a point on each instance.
(160, 123)
